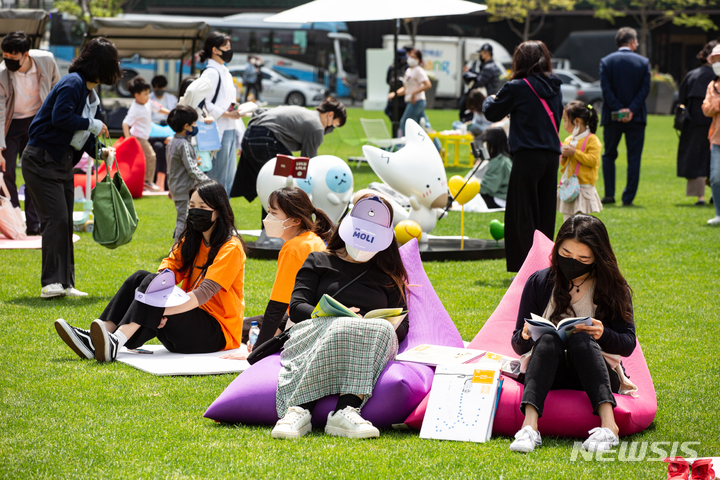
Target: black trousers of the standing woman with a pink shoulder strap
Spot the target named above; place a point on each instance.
(531, 202)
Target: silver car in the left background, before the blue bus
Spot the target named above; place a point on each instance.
(279, 88)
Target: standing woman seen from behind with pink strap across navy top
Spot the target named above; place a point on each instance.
(533, 100)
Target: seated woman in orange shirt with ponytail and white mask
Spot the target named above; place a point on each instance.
(290, 217)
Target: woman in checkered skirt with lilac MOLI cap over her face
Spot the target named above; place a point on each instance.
(328, 355)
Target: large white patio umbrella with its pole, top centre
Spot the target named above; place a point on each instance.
(369, 10)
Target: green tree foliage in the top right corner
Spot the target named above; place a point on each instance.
(651, 14)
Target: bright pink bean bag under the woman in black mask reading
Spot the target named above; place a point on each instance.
(568, 413)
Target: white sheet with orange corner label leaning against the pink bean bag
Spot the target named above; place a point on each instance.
(462, 402)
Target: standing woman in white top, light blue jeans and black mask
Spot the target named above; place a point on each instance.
(217, 51)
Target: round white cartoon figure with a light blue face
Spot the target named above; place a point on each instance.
(331, 183)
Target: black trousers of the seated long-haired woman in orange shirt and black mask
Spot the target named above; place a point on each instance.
(195, 331)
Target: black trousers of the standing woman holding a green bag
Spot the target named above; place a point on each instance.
(51, 187)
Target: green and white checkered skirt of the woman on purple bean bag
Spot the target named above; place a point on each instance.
(333, 355)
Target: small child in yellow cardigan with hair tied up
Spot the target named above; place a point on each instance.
(581, 157)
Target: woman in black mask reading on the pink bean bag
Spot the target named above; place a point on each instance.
(583, 280)
